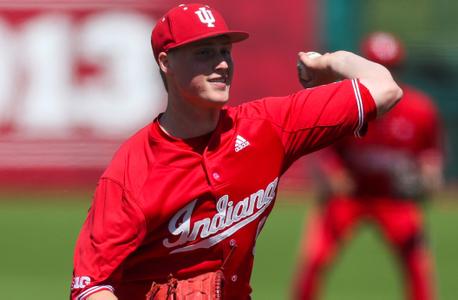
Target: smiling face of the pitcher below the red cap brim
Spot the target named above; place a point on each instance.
(202, 72)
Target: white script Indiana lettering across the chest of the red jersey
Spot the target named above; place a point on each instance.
(242, 214)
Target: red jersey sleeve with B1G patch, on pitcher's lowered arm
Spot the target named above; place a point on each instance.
(114, 227)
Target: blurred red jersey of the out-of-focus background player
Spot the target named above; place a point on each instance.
(387, 161)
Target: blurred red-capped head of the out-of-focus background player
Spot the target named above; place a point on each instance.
(383, 48)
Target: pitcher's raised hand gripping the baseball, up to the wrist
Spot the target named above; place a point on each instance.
(313, 69)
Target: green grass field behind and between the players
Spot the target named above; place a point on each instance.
(38, 232)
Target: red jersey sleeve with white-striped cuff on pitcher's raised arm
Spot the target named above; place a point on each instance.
(314, 118)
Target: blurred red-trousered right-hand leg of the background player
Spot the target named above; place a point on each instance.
(402, 225)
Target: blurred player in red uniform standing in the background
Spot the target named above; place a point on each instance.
(380, 178)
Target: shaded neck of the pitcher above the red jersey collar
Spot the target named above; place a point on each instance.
(187, 121)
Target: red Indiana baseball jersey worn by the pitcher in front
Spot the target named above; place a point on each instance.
(185, 207)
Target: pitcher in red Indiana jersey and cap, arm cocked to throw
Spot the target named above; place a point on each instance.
(178, 210)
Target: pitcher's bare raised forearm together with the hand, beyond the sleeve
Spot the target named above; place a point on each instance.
(322, 69)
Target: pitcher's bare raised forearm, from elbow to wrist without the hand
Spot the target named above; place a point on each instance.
(375, 77)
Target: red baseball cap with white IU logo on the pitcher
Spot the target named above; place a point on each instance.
(188, 23)
